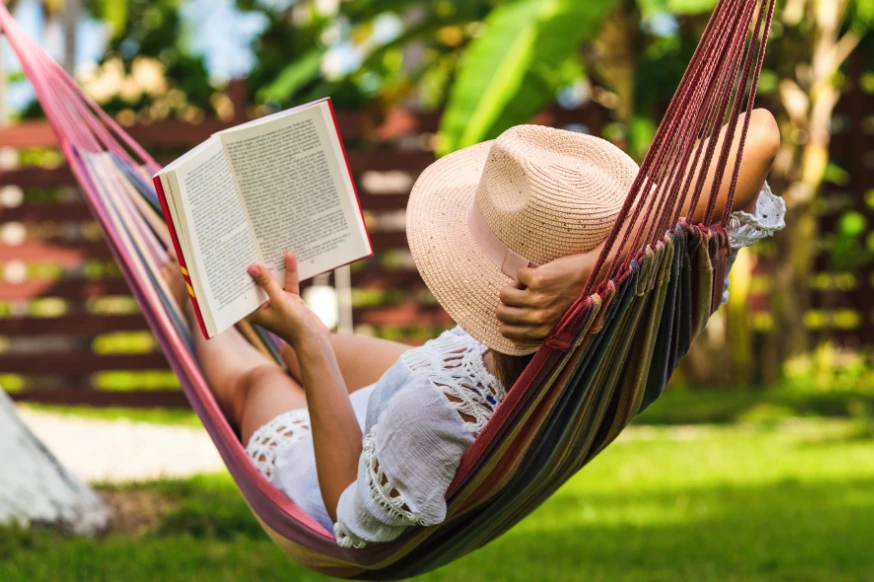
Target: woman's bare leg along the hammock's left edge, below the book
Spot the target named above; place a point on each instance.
(250, 387)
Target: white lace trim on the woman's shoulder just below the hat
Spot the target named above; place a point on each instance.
(454, 363)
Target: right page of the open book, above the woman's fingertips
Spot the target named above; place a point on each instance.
(297, 191)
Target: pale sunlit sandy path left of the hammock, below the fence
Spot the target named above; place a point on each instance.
(115, 451)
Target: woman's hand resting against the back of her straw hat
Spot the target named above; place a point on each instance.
(532, 305)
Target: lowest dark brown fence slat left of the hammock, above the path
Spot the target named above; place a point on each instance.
(104, 398)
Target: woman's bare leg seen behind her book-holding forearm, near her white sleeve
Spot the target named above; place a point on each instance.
(362, 360)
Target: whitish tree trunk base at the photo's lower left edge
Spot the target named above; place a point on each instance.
(35, 488)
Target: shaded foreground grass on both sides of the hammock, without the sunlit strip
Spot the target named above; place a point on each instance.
(782, 531)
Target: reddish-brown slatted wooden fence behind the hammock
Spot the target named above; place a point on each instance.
(71, 334)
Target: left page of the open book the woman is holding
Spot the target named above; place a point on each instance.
(220, 237)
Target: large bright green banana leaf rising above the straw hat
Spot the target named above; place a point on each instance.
(505, 76)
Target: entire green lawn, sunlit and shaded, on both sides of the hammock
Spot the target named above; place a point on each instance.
(788, 500)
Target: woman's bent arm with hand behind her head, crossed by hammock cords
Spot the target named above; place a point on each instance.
(533, 304)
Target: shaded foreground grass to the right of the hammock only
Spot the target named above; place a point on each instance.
(782, 531)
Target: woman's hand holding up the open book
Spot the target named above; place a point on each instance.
(285, 313)
